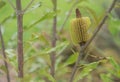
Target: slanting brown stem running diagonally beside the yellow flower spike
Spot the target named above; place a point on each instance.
(87, 44)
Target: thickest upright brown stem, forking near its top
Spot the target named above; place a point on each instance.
(20, 38)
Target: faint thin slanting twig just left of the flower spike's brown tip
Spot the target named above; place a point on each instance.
(67, 17)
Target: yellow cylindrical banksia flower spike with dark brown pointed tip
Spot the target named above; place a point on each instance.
(79, 29)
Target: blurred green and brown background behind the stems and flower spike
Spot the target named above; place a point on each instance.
(38, 21)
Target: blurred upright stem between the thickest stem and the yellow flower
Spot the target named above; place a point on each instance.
(54, 31)
